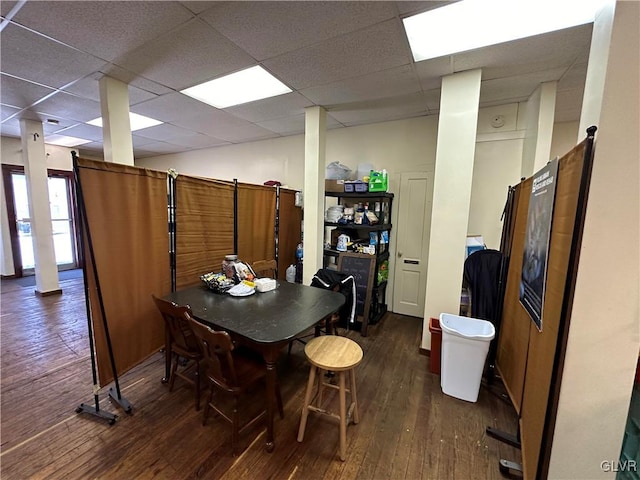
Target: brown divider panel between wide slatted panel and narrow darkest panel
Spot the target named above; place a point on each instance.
(256, 222)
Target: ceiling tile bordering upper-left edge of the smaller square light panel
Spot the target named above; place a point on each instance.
(194, 47)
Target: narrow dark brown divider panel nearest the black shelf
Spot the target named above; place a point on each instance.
(290, 231)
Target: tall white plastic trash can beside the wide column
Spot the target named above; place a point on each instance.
(465, 344)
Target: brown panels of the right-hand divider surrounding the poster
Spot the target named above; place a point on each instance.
(526, 356)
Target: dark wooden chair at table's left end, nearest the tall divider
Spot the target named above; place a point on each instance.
(182, 343)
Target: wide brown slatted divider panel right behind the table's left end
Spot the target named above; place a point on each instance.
(204, 227)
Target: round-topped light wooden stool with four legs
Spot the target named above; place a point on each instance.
(335, 354)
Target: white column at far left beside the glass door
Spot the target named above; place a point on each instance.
(35, 167)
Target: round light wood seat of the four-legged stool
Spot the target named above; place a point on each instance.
(331, 352)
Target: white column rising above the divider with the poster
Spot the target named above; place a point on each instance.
(540, 116)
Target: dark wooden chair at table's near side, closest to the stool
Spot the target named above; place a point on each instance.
(231, 373)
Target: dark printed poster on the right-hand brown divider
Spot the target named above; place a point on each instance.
(536, 246)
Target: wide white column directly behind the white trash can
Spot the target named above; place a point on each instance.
(457, 126)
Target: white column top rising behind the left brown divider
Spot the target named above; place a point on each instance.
(116, 126)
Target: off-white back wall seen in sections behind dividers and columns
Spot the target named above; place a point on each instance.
(398, 146)
